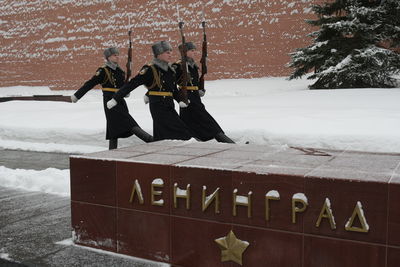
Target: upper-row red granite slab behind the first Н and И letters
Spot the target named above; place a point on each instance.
(197, 178)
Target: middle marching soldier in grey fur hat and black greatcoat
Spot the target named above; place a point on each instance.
(159, 78)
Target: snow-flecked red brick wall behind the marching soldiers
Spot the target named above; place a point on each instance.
(59, 43)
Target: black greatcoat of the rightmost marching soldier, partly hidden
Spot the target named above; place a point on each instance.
(196, 117)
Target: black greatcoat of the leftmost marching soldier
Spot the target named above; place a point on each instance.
(119, 121)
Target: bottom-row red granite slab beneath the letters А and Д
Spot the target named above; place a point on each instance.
(335, 252)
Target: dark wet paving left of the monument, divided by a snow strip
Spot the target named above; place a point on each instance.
(32, 222)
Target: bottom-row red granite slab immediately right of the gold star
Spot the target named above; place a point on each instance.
(270, 248)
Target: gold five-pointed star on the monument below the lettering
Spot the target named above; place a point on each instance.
(231, 248)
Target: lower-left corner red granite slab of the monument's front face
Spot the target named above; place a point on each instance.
(94, 225)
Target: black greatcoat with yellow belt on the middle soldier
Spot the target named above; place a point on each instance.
(166, 121)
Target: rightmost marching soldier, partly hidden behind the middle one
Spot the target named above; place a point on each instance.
(196, 117)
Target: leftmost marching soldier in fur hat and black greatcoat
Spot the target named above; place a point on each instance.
(120, 123)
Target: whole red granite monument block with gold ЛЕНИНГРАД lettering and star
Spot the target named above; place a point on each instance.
(212, 204)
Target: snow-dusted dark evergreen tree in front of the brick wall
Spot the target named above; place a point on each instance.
(354, 46)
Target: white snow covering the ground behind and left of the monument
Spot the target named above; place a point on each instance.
(261, 111)
